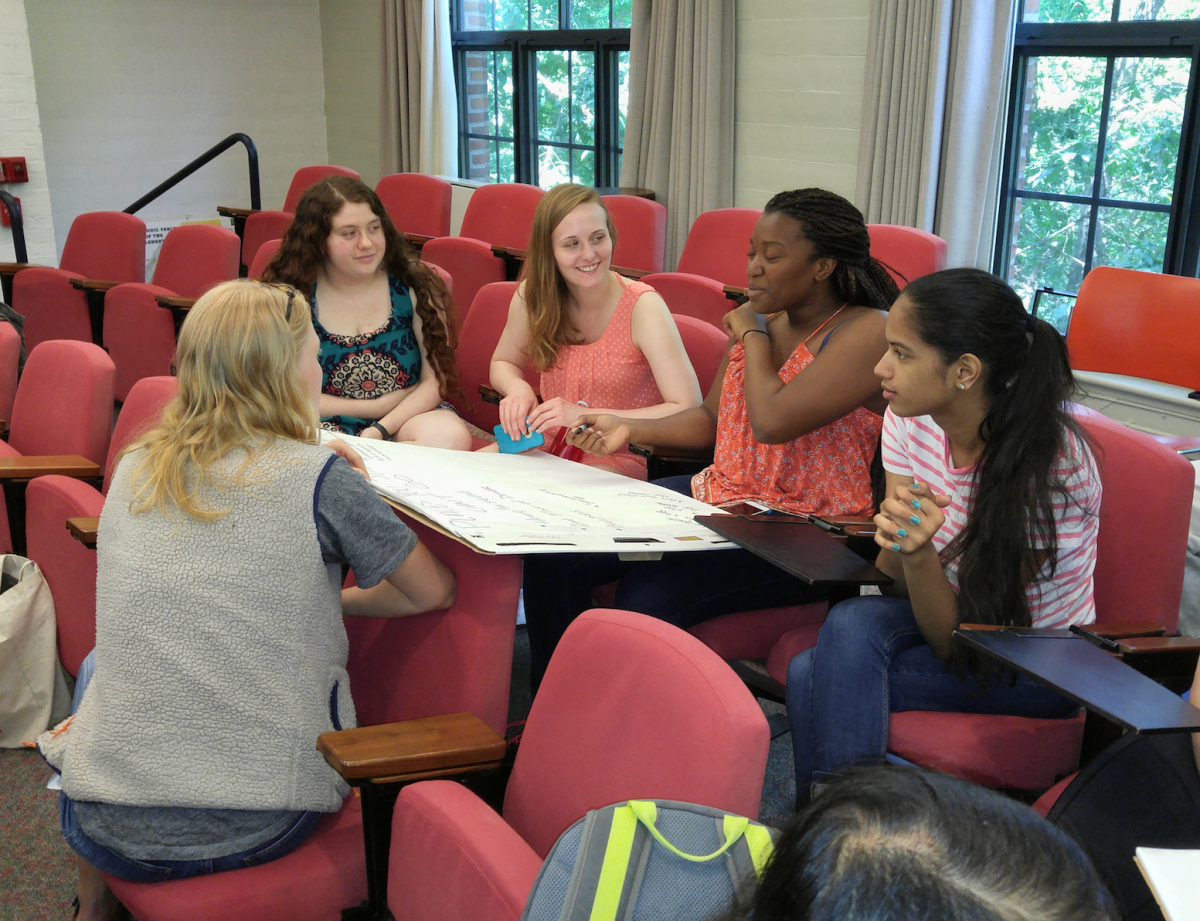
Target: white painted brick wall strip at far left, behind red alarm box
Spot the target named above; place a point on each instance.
(21, 136)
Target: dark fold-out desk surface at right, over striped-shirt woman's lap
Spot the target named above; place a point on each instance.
(1089, 676)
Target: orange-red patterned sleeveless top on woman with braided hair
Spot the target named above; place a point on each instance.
(826, 472)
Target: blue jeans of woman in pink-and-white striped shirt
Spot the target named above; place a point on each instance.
(869, 663)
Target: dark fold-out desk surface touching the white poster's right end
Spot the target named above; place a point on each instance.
(800, 549)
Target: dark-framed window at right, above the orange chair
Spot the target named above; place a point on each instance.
(1102, 146)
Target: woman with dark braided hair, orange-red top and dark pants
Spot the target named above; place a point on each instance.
(795, 416)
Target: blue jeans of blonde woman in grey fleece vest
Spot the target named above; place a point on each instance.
(159, 871)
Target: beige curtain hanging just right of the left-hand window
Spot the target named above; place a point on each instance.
(680, 125)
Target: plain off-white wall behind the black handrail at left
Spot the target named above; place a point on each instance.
(131, 91)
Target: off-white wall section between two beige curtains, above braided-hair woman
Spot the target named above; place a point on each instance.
(800, 97)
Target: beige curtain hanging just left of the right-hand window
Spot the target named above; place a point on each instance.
(935, 97)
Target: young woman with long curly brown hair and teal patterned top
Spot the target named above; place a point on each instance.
(383, 320)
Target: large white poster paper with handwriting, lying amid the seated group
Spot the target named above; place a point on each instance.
(536, 503)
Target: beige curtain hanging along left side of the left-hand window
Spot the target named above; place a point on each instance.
(422, 119)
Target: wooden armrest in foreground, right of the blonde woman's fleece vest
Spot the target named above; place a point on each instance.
(413, 750)
